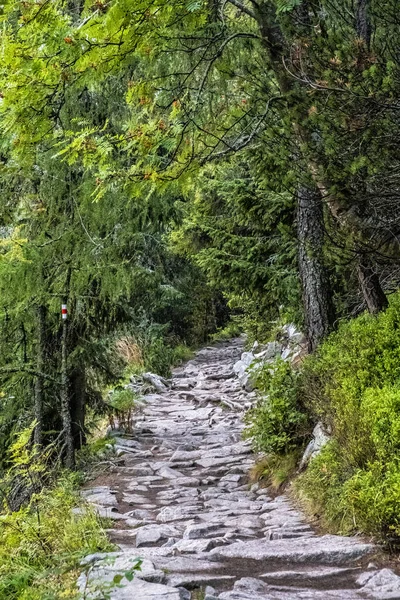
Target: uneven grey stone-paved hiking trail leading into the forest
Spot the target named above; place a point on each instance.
(181, 500)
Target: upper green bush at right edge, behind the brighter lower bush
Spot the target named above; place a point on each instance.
(364, 353)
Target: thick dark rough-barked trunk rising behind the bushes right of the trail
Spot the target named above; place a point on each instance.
(317, 297)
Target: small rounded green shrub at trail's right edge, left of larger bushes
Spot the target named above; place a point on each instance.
(278, 423)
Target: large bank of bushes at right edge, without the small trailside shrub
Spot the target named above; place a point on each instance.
(353, 384)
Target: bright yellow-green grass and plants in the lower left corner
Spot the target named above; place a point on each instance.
(45, 539)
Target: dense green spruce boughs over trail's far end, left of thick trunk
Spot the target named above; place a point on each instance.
(230, 208)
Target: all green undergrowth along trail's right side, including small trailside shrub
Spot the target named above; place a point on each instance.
(351, 385)
